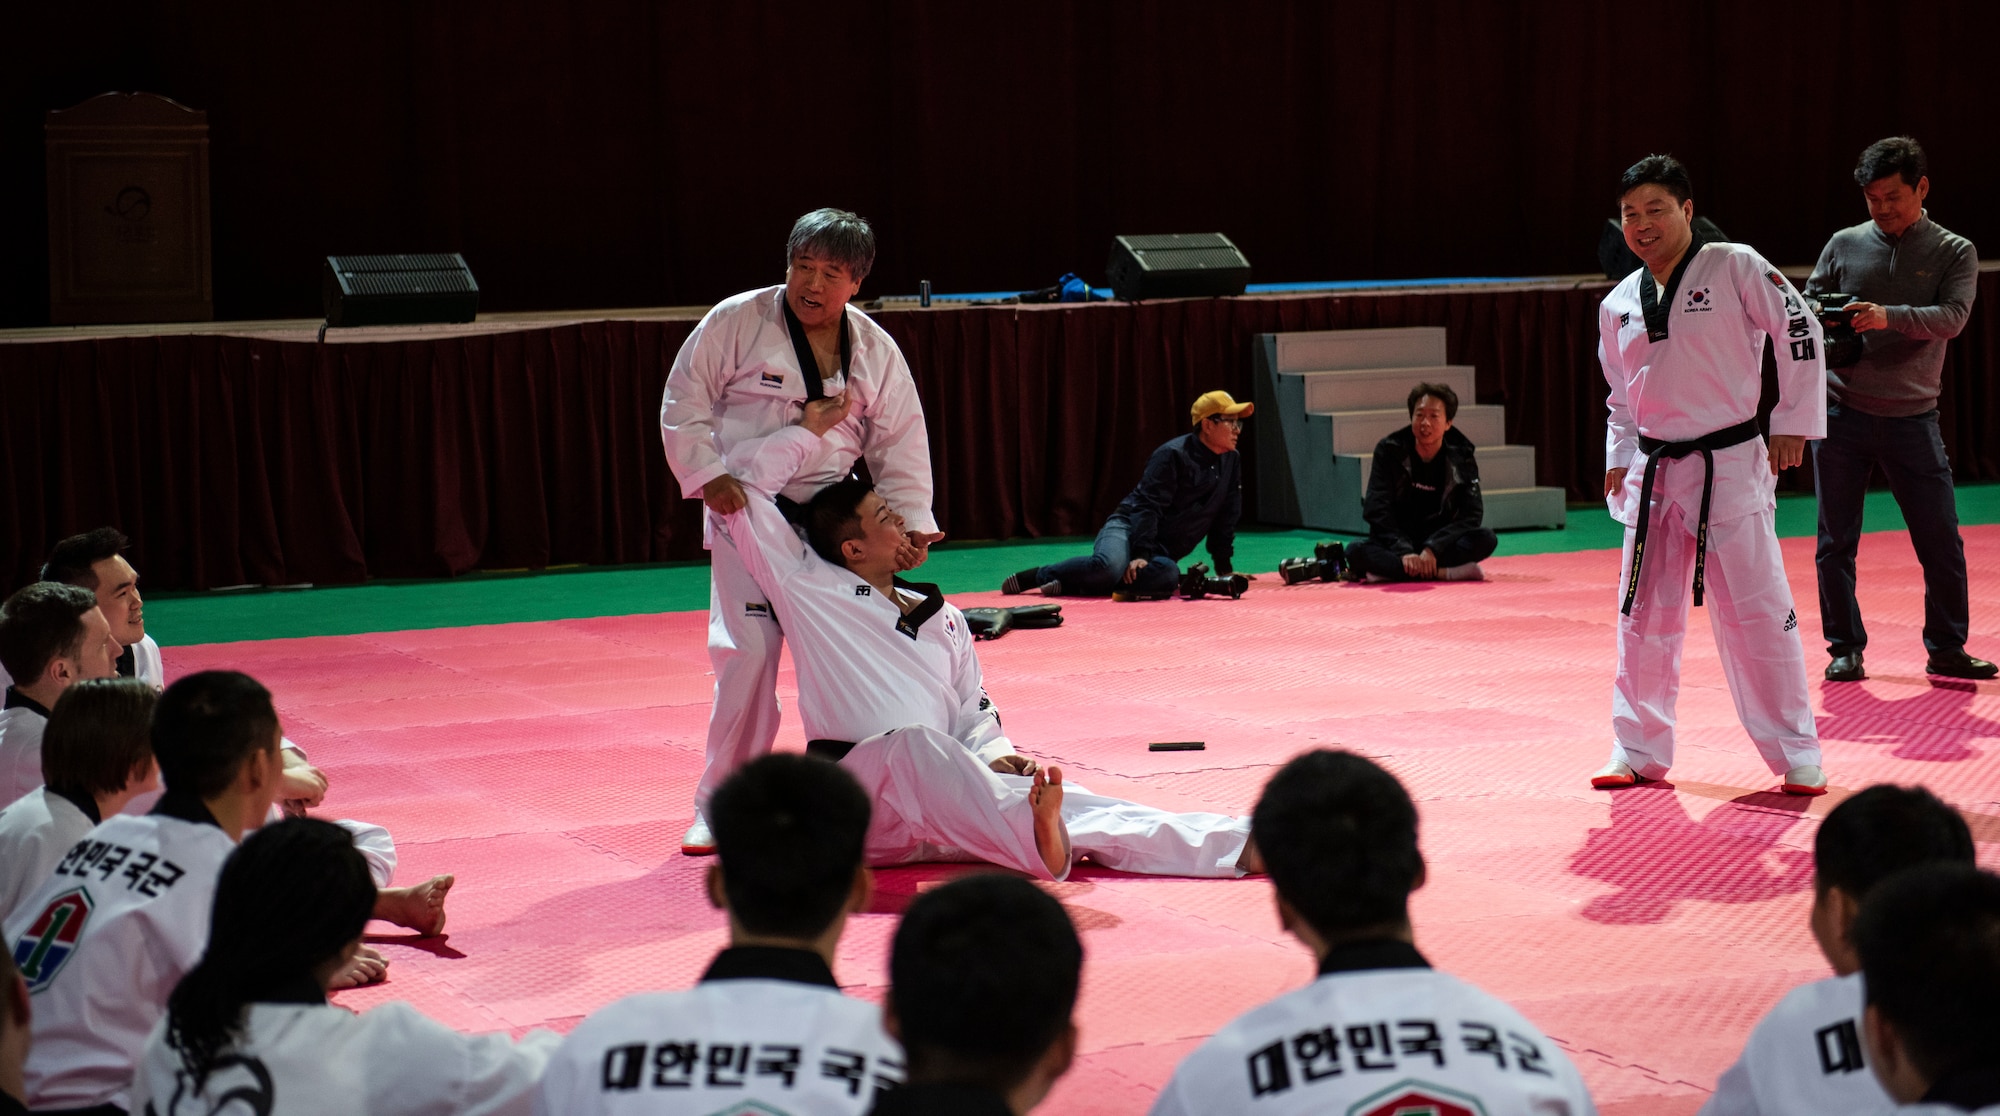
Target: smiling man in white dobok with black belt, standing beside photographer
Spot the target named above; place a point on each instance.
(1683, 349)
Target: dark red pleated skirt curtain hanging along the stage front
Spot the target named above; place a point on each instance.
(237, 461)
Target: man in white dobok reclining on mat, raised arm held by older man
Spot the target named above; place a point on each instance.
(889, 685)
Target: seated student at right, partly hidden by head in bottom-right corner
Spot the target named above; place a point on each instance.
(1807, 1055)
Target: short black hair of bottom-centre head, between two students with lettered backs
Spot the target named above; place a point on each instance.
(983, 979)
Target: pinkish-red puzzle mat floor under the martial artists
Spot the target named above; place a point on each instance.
(553, 767)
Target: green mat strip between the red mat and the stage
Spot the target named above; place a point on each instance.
(177, 619)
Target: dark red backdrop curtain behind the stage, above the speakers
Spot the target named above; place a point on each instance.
(629, 153)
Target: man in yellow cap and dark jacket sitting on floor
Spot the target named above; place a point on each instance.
(1193, 489)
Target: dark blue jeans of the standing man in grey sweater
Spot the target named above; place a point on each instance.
(1919, 475)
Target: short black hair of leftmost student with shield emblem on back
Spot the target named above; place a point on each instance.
(207, 727)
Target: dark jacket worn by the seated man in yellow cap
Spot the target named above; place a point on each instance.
(1187, 493)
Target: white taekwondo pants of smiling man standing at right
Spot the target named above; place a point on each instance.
(1757, 635)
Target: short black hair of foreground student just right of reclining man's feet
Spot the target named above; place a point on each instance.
(1339, 839)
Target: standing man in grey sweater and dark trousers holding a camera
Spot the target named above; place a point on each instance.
(1913, 287)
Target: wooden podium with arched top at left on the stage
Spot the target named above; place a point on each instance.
(129, 213)
